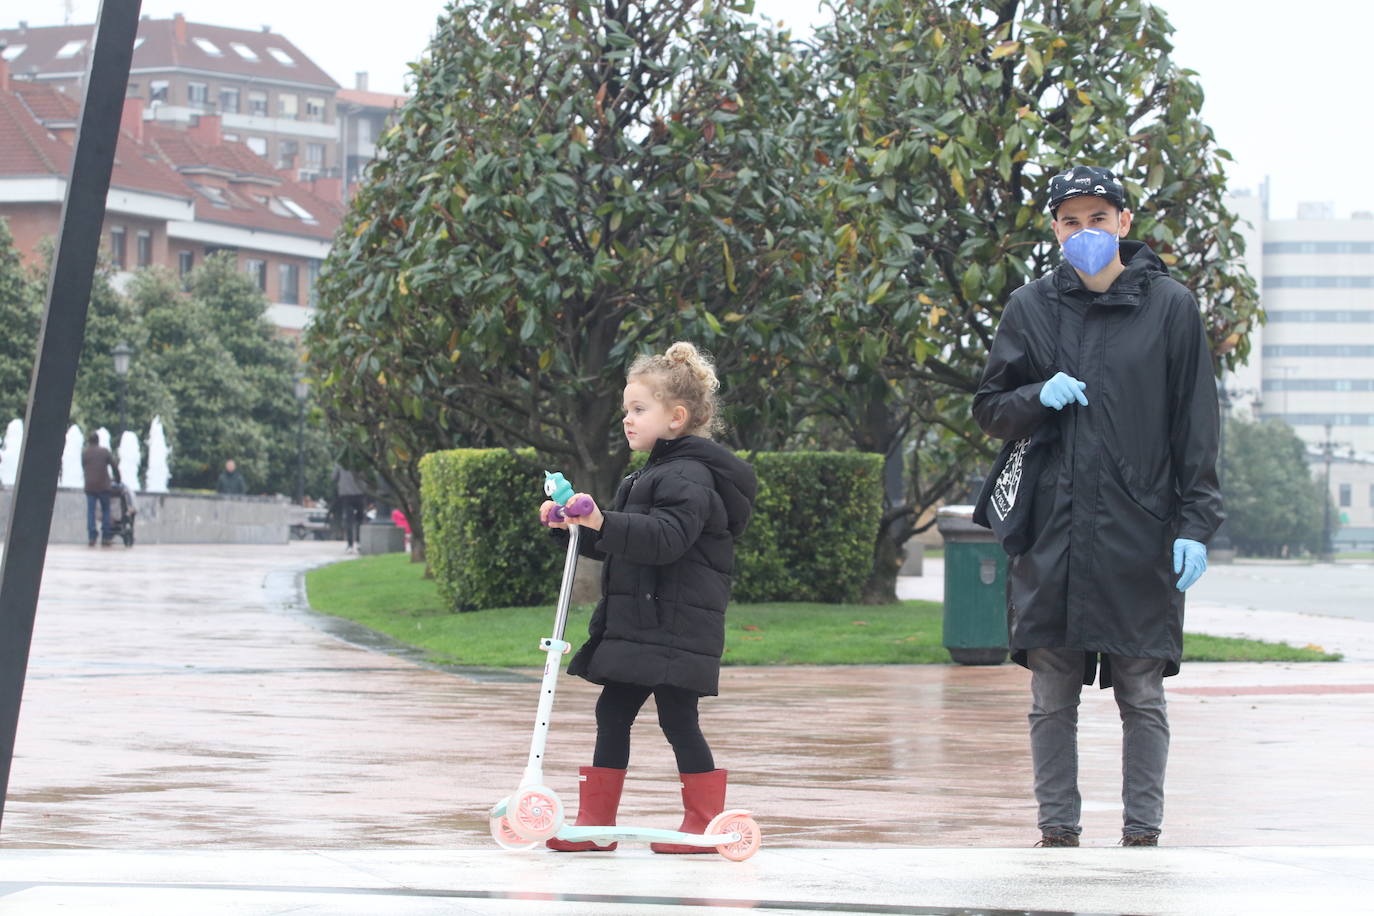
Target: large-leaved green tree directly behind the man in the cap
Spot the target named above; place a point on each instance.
(949, 119)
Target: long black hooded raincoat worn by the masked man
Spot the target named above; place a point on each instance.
(1127, 474)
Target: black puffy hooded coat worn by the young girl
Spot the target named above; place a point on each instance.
(670, 554)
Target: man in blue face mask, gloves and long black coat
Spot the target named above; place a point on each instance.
(1112, 352)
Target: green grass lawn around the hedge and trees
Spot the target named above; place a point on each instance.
(388, 594)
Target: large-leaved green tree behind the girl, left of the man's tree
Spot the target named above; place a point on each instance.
(568, 187)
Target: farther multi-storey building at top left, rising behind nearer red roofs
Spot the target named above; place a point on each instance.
(266, 91)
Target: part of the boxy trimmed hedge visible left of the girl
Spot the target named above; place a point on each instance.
(483, 536)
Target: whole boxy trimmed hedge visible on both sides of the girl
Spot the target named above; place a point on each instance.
(811, 539)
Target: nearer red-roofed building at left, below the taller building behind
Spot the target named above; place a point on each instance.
(178, 196)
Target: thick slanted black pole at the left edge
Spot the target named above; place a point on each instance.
(60, 350)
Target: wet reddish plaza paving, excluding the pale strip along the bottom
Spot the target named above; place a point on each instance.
(177, 702)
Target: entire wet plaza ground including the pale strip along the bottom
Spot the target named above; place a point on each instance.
(183, 715)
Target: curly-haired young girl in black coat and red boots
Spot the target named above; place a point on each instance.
(670, 553)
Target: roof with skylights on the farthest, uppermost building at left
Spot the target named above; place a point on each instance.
(161, 50)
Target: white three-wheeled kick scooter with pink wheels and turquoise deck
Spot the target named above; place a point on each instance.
(534, 812)
